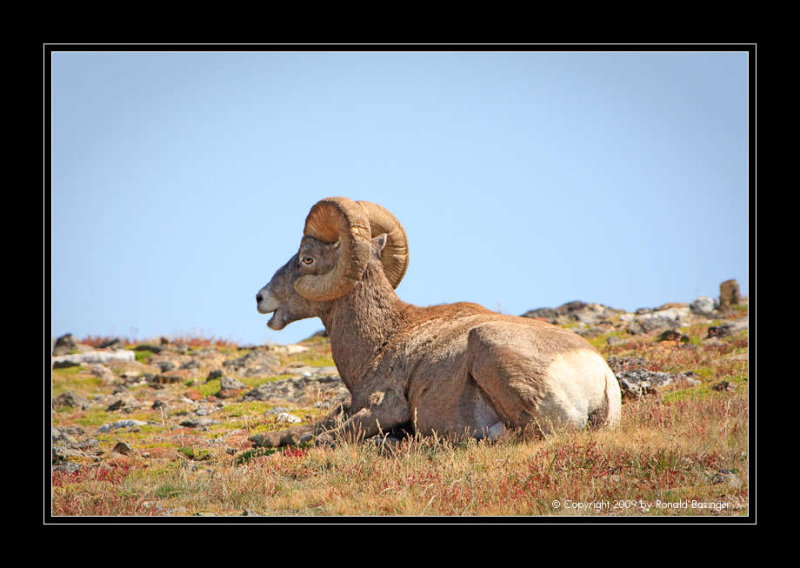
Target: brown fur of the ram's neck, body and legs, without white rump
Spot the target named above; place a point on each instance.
(454, 369)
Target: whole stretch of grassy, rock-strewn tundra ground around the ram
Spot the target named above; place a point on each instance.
(168, 434)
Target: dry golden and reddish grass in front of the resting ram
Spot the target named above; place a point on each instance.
(669, 455)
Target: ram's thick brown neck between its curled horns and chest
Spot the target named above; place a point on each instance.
(360, 323)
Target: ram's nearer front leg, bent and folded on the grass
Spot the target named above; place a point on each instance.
(384, 410)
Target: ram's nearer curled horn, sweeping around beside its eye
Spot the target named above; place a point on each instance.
(337, 220)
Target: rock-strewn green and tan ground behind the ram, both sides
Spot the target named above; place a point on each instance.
(190, 401)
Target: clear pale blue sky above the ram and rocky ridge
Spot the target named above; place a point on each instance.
(181, 180)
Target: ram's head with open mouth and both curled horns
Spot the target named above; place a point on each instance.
(339, 239)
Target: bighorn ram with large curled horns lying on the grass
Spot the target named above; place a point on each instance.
(454, 369)
